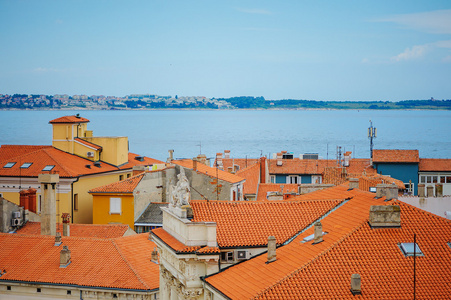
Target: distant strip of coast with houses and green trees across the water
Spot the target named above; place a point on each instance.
(151, 101)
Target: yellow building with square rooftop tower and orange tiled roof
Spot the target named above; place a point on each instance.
(82, 161)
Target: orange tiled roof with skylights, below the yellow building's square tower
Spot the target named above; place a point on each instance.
(65, 164)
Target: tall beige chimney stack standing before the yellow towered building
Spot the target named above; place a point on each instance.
(48, 212)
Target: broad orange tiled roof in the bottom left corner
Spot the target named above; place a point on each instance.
(122, 263)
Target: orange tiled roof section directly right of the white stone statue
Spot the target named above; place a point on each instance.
(249, 223)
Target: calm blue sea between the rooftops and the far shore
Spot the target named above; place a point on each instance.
(247, 133)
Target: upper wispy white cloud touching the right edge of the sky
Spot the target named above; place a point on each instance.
(438, 21)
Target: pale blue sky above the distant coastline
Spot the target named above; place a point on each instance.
(315, 50)
